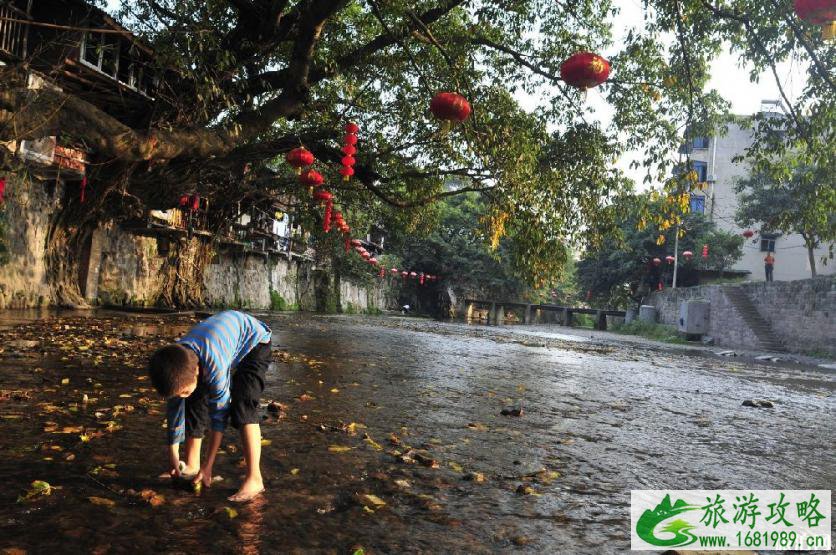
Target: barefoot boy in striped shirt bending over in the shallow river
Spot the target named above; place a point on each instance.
(212, 374)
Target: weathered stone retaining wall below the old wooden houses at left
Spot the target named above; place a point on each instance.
(126, 269)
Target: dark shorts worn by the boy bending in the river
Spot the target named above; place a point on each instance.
(246, 388)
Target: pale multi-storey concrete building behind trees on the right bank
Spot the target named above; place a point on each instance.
(713, 159)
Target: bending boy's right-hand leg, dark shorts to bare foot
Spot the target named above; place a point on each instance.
(247, 386)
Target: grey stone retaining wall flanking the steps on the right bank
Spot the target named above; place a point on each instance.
(802, 313)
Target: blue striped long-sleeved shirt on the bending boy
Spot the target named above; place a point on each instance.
(220, 343)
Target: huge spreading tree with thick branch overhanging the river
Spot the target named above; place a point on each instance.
(243, 81)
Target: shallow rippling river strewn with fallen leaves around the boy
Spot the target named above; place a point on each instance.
(389, 436)
